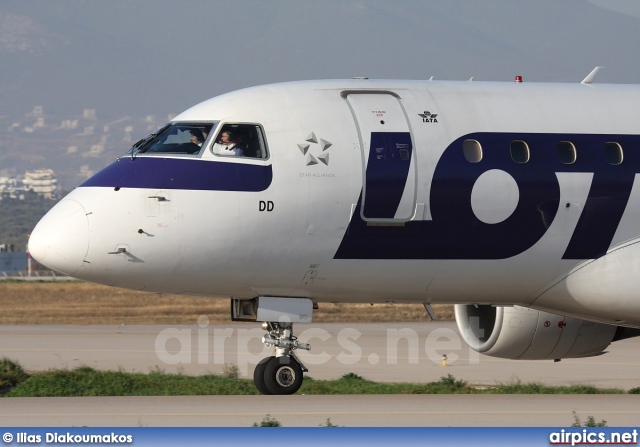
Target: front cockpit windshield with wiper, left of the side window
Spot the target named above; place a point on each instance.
(176, 138)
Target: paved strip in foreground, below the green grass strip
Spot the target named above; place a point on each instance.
(311, 411)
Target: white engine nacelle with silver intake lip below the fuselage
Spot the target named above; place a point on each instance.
(528, 334)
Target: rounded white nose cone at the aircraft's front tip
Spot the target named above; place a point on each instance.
(60, 241)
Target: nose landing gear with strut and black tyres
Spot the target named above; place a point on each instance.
(282, 373)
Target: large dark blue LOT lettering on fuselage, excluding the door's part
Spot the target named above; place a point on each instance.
(456, 233)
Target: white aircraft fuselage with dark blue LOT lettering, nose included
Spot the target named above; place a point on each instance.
(374, 191)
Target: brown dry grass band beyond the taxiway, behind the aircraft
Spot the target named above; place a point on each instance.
(83, 303)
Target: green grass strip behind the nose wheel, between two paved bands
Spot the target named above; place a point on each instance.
(86, 381)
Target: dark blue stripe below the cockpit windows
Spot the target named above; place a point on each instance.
(183, 173)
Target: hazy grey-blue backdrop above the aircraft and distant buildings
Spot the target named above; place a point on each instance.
(160, 57)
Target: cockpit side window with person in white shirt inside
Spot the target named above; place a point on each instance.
(240, 140)
